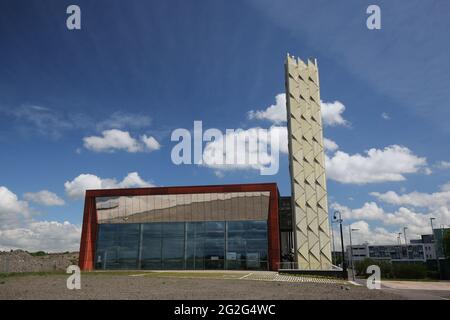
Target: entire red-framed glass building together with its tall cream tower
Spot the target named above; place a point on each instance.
(228, 226)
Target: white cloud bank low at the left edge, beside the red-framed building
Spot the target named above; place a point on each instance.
(18, 230)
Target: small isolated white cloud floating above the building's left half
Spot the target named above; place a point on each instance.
(115, 139)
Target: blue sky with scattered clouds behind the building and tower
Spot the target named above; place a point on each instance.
(147, 68)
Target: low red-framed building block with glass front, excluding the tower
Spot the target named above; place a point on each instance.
(200, 227)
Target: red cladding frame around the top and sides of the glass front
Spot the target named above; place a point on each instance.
(90, 226)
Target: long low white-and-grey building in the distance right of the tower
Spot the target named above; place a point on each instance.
(410, 253)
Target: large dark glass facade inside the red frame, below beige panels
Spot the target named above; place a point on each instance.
(183, 245)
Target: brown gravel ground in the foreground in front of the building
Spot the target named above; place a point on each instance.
(96, 286)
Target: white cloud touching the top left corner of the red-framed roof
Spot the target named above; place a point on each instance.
(76, 188)
